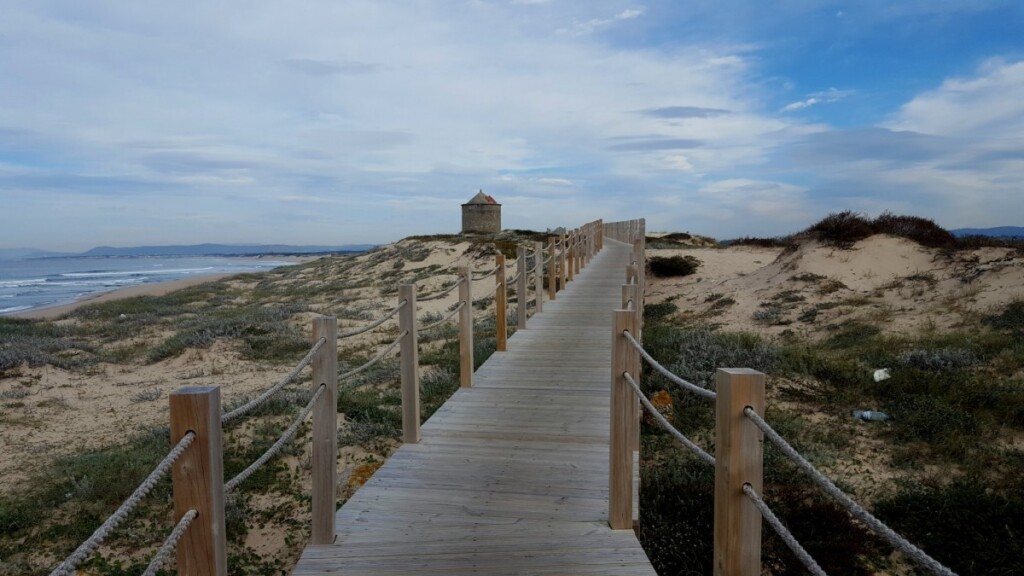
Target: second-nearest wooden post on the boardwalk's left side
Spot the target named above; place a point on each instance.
(325, 439)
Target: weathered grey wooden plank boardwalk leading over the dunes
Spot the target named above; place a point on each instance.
(511, 477)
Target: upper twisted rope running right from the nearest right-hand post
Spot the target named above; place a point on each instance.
(855, 509)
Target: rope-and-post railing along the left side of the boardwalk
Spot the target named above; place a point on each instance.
(200, 422)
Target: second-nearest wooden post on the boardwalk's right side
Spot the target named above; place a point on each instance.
(623, 424)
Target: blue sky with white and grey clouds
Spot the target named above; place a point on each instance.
(338, 122)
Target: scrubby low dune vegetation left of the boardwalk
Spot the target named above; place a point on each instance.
(260, 319)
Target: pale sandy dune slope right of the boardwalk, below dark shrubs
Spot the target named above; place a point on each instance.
(888, 281)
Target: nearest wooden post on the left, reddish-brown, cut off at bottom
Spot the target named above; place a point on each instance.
(198, 479)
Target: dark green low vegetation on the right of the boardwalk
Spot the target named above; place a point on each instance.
(946, 471)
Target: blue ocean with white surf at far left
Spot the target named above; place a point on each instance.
(36, 283)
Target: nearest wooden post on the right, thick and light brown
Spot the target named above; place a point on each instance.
(739, 446)
